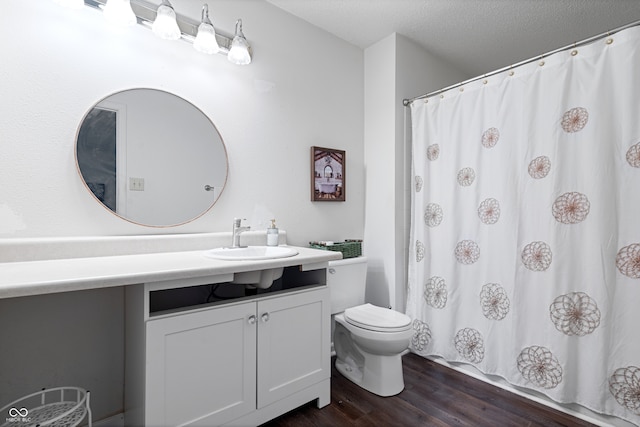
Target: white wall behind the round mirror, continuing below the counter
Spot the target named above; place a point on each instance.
(304, 88)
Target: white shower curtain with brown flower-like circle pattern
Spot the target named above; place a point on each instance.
(525, 237)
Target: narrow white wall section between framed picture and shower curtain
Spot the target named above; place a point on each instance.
(395, 69)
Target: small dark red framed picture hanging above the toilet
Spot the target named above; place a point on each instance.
(328, 175)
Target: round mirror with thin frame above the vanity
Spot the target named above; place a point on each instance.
(151, 157)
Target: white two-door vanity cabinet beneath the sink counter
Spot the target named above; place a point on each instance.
(237, 363)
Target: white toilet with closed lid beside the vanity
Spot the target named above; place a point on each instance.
(368, 340)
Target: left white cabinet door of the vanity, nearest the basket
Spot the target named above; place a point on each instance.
(201, 366)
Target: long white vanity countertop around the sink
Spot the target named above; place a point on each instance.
(23, 278)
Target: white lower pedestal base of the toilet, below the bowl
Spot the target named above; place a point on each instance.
(381, 375)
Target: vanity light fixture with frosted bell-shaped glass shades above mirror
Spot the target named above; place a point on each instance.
(201, 33)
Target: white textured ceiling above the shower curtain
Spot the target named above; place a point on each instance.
(475, 36)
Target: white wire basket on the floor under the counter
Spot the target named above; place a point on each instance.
(59, 407)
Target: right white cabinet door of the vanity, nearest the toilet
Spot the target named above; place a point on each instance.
(293, 344)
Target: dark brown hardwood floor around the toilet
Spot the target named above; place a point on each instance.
(434, 395)
